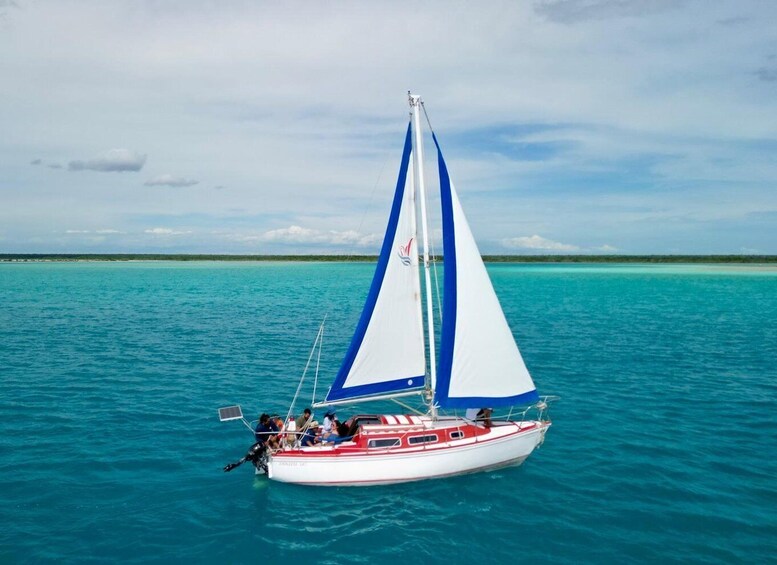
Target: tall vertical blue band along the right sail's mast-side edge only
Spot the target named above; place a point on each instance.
(448, 330)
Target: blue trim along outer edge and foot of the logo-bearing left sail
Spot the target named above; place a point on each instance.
(338, 391)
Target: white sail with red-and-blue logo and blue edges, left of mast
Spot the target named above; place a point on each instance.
(387, 354)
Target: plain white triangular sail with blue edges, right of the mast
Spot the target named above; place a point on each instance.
(480, 364)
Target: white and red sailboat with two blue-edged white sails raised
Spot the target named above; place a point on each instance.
(393, 354)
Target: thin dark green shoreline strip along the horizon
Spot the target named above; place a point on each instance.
(75, 257)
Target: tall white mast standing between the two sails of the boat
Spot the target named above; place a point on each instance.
(418, 176)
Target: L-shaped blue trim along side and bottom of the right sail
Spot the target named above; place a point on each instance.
(448, 330)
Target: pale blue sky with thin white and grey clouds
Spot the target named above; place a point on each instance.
(592, 126)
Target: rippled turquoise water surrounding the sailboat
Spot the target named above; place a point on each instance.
(663, 446)
